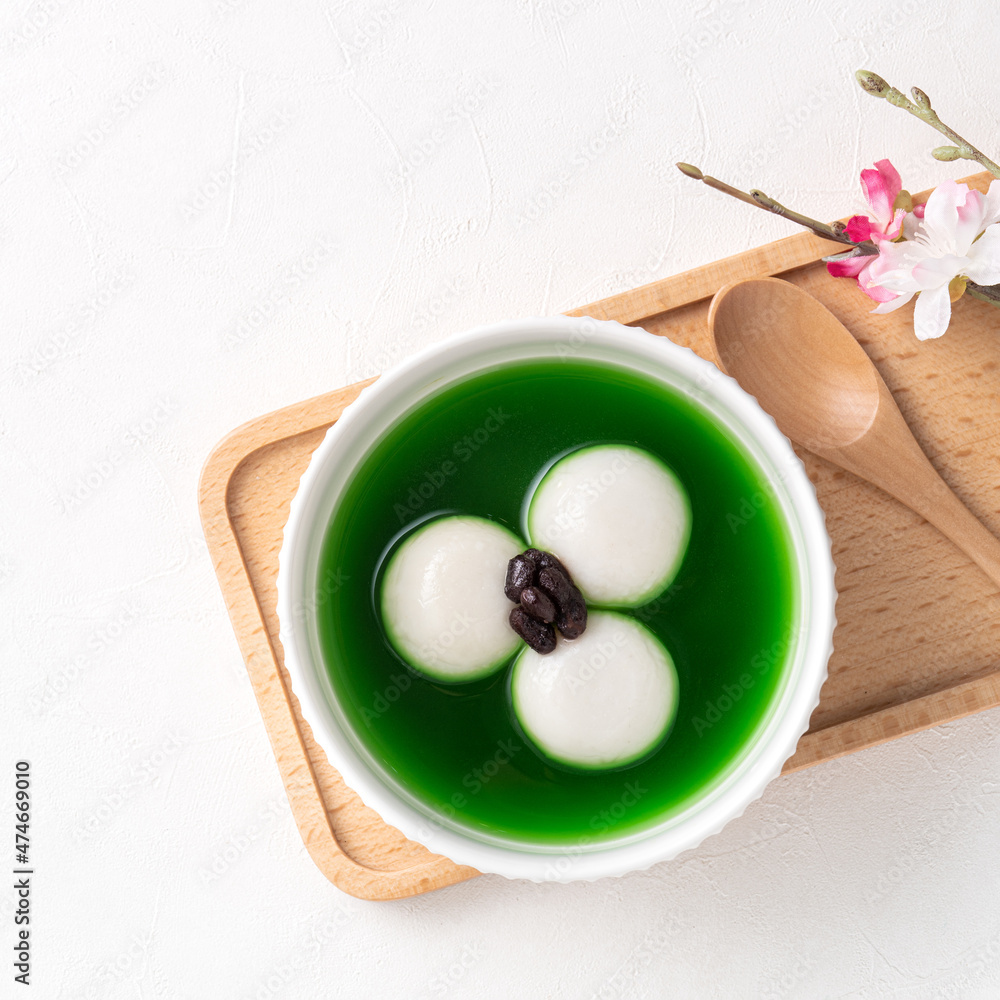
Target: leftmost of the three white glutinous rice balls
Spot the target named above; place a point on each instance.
(443, 605)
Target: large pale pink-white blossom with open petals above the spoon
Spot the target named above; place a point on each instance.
(958, 237)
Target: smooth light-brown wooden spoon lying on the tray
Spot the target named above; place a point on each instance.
(814, 378)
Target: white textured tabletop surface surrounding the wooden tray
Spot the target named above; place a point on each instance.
(212, 208)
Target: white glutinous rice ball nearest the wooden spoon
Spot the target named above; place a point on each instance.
(617, 517)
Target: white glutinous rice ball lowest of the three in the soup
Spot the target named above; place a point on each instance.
(600, 701)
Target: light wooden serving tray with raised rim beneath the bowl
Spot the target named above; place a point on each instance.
(918, 639)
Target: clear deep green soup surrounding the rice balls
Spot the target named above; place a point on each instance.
(477, 448)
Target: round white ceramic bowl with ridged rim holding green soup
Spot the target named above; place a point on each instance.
(396, 393)
